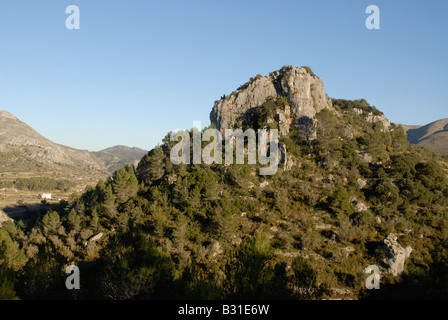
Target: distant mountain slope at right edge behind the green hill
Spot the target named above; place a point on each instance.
(433, 136)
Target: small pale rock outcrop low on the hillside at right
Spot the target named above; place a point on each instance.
(396, 254)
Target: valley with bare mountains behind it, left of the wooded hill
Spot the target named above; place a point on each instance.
(25, 155)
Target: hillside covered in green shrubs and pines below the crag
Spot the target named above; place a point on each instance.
(165, 231)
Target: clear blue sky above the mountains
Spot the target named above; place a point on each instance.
(139, 69)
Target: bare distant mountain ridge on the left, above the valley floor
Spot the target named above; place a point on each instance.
(23, 149)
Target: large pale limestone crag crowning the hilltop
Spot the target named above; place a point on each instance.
(304, 91)
